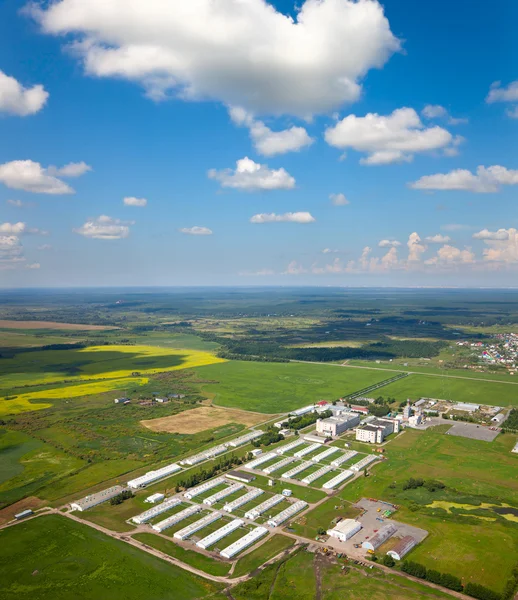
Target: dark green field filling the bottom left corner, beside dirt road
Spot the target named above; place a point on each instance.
(70, 560)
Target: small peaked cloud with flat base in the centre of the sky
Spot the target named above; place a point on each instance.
(252, 176)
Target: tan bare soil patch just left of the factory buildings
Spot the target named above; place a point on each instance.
(203, 418)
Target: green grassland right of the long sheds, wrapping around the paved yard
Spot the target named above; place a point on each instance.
(474, 549)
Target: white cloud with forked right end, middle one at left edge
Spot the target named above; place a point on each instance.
(30, 176)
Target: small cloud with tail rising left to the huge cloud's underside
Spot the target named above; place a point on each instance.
(268, 142)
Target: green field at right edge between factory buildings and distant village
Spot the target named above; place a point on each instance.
(416, 386)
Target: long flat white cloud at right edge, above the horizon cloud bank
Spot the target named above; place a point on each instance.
(486, 180)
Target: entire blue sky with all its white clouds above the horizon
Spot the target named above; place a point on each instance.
(145, 103)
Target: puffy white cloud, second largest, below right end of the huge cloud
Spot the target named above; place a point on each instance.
(387, 139)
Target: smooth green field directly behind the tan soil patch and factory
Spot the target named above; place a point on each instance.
(281, 387)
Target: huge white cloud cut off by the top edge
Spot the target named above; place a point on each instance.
(240, 53)
